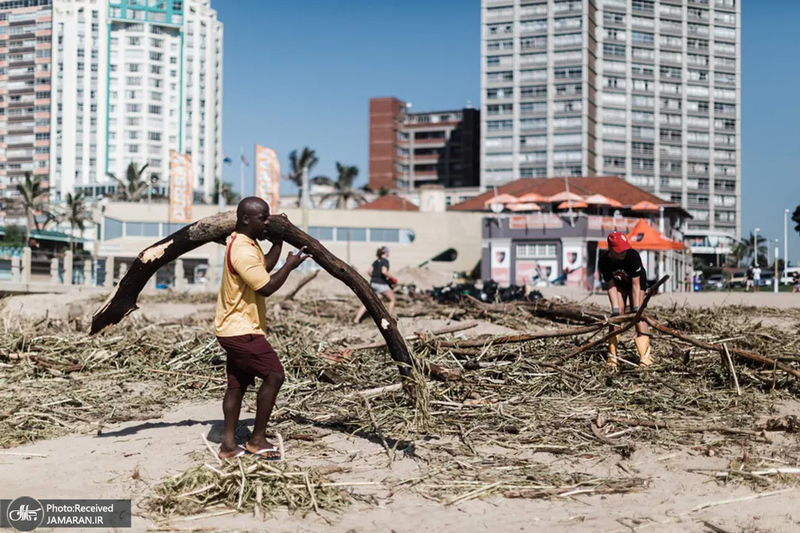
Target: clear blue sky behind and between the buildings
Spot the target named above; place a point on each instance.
(300, 73)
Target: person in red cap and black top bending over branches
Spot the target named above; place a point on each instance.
(625, 279)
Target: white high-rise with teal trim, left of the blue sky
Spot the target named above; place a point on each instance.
(133, 80)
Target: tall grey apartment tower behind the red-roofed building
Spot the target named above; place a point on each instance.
(645, 89)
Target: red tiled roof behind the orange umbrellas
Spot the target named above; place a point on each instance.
(610, 186)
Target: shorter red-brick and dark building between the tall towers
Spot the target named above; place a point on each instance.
(407, 150)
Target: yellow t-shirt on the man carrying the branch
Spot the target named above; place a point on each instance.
(240, 309)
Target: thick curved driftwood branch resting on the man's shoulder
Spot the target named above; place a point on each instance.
(216, 228)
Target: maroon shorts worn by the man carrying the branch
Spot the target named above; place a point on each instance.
(249, 356)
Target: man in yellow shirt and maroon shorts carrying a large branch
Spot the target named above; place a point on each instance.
(240, 325)
